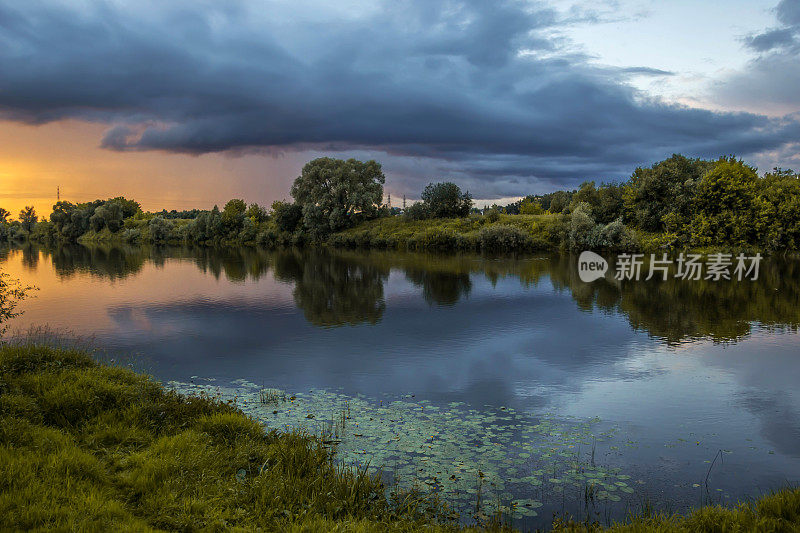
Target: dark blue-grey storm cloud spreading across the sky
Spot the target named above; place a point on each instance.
(485, 90)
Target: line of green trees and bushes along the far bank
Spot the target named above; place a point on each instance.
(678, 202)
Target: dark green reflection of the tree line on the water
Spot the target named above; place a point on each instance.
(335, 288)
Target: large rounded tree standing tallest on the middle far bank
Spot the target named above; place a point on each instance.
(333, 193)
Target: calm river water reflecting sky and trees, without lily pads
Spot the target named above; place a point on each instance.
(680, 372)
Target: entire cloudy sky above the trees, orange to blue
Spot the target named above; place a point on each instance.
(185, 104)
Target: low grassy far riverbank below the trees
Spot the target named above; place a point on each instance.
(498, 234)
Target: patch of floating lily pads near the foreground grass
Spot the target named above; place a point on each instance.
(512, 463)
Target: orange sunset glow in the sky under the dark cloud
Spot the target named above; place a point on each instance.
(35, 160)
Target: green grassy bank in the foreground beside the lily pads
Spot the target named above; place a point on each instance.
(85, 446)
